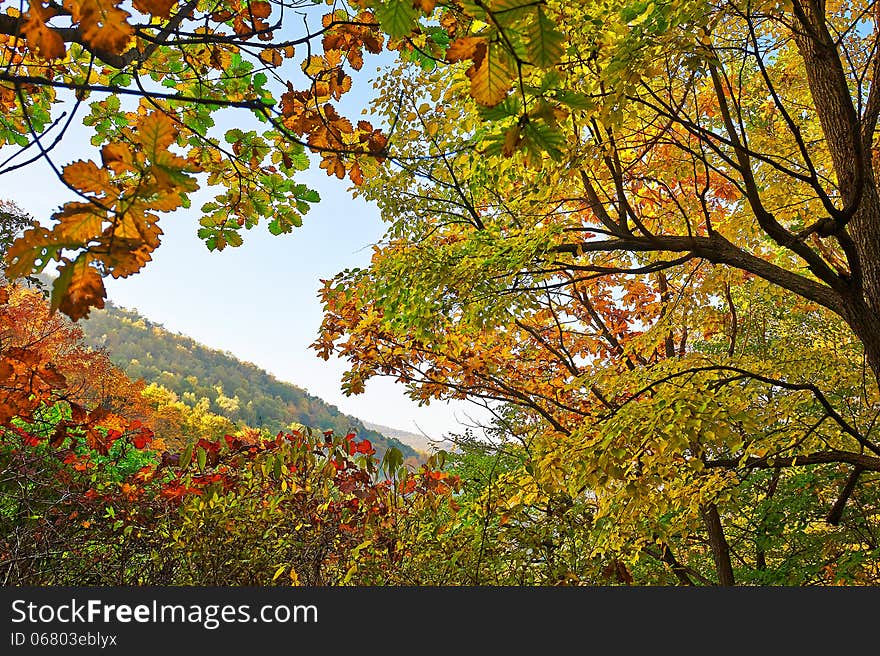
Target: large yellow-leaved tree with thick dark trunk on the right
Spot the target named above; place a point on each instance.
(660, 243)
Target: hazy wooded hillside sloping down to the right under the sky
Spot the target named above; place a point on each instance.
(238, 390)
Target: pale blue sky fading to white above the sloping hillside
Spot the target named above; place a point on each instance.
(258, 301)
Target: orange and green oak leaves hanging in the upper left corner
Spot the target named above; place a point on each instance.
(147, 158)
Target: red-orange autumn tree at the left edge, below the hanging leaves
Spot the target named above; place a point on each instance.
(69, 421)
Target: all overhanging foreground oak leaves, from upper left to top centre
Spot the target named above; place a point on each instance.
(256, 171)
